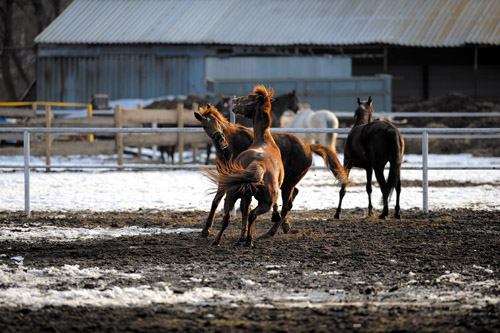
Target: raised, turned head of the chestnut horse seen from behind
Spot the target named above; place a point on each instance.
(260, 99)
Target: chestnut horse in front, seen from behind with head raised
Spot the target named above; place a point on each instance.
(258, 171)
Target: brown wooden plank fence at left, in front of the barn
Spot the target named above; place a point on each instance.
(45, 144)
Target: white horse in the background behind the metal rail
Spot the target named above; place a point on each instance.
(308, 118)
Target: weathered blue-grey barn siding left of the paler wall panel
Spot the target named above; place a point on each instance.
(75, 79)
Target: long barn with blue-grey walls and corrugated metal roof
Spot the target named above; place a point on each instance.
(152, 48)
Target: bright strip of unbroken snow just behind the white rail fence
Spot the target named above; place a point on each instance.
(183, 190)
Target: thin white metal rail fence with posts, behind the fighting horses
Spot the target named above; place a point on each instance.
(423, 133)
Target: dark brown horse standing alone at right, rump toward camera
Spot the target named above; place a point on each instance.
(371, 145)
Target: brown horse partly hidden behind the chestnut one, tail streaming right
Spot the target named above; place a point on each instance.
(231, 139)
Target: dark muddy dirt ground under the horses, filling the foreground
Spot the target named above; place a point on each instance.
(439, 273)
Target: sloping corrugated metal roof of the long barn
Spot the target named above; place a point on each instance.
(429, 23)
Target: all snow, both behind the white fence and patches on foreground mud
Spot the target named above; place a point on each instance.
(98, 190)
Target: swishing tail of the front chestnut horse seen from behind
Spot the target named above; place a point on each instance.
(235, 177)
